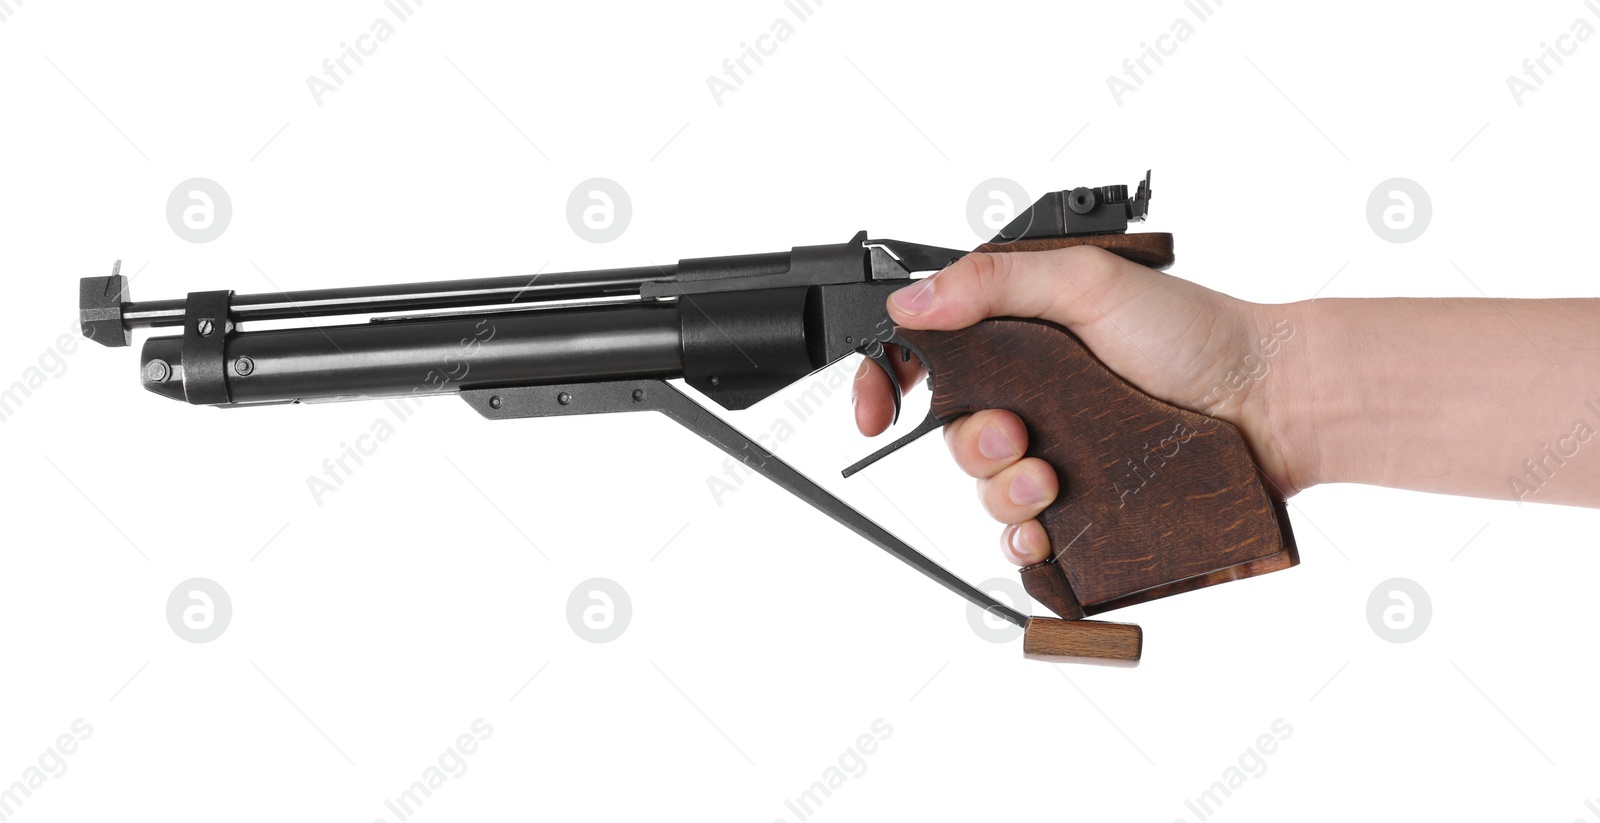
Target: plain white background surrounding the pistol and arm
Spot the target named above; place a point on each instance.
(372, 630)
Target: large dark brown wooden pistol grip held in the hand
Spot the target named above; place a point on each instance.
(1154, 499)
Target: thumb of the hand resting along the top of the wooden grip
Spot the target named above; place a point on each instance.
(1065, 286)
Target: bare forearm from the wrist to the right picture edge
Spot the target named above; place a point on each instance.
(1495, 399)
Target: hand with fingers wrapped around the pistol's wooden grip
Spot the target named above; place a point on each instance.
(1175, 340)
